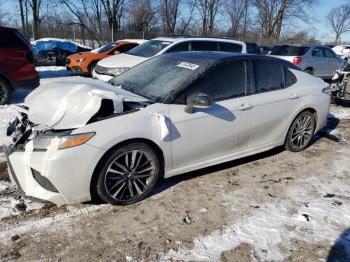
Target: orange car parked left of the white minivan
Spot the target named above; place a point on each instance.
(84, 63)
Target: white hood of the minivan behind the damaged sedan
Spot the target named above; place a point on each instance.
(122, 60)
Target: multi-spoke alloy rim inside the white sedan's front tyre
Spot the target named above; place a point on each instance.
(129, 175)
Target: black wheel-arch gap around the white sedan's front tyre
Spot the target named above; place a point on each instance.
(146, 141)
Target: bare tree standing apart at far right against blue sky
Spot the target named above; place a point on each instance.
(339, 19)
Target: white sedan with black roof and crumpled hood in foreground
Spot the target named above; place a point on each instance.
(74, 140)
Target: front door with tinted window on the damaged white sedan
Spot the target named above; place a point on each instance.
(216, 131)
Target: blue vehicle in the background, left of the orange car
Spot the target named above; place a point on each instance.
(54, 51)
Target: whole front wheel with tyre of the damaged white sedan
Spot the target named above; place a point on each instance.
(128, 174)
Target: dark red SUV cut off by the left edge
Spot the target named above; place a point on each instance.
(17, 68)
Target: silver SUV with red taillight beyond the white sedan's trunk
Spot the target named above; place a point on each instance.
(318, 60)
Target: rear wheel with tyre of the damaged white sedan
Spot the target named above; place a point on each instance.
(300, 132)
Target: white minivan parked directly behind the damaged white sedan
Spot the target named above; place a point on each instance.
(109, 67)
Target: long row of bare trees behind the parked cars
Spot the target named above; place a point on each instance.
(101, 21)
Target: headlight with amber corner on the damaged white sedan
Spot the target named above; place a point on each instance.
(42, 142)
